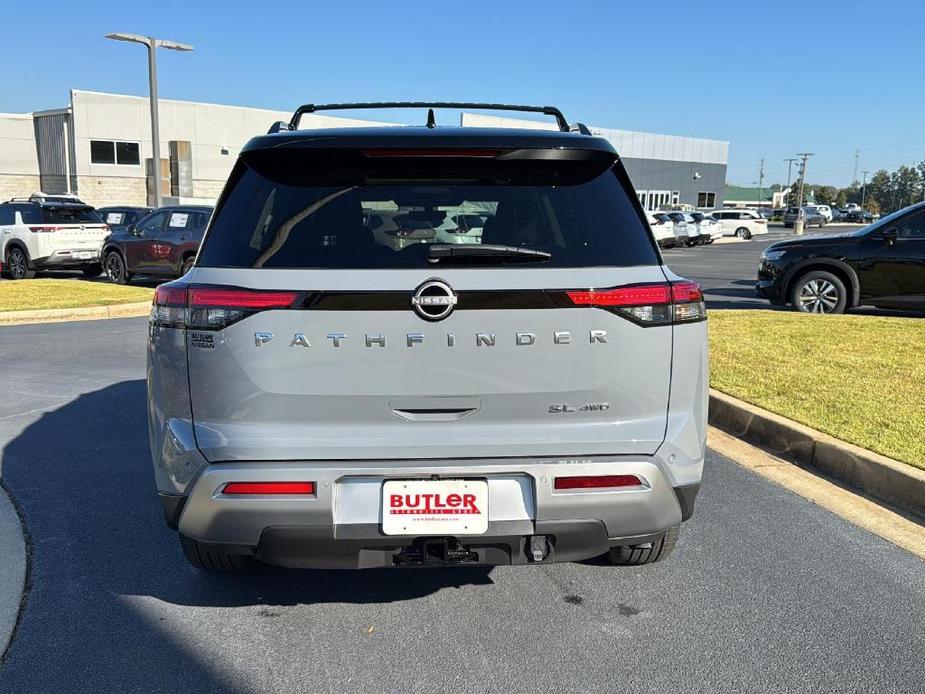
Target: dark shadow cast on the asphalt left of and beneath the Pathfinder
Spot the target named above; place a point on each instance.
(100, 551)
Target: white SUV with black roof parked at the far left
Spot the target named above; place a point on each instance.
(50, 232)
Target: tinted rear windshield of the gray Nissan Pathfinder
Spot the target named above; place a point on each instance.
(289, 215)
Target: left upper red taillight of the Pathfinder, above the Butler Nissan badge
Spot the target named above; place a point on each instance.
(212, 308)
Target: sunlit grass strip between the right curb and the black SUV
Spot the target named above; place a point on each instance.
(858, 378)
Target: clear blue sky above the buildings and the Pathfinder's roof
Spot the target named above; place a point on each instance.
(772, 78)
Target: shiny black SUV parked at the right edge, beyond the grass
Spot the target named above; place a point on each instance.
(881, 265)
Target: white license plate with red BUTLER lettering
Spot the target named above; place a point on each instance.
(435, 507)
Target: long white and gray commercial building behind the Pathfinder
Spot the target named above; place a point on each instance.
(108, 152)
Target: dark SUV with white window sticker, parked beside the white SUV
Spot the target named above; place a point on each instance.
(163, 244)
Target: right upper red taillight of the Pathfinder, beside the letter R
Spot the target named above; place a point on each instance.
(648, 304)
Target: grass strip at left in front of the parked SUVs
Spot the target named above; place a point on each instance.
(25, 295)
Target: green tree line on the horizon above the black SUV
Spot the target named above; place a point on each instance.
(885, 192)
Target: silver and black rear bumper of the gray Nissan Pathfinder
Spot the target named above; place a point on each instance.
(340, 527)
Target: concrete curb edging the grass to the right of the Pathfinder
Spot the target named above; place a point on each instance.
(884, 478)
